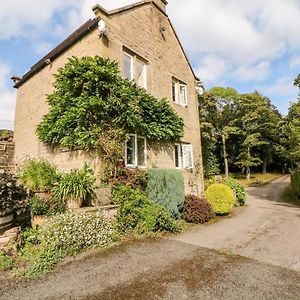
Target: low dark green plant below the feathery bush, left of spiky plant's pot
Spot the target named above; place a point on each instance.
(48, 207)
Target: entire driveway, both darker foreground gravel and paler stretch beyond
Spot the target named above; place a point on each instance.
(182, 267)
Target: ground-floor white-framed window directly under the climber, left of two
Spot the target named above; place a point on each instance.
(135, 151)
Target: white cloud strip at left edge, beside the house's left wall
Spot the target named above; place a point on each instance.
(7, 99)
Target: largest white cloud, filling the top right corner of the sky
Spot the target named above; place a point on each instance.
(240, 31)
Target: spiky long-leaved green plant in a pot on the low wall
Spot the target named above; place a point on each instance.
(75, 187)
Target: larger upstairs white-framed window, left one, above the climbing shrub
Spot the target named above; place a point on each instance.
(135, 69)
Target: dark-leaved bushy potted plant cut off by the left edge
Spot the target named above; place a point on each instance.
(13, 198)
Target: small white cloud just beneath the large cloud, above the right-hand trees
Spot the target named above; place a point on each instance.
(256, 72)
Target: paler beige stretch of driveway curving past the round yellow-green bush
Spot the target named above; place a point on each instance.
(267, 229)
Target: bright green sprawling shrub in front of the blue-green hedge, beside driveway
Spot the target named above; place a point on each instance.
(139, 213)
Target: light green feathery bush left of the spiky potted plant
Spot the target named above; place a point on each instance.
(38, 175)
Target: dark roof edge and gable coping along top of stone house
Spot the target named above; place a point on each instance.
(87, 27)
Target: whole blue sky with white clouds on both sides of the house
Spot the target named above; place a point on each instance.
(244, 44)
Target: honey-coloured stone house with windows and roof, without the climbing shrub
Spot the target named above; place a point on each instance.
(141, 38)
